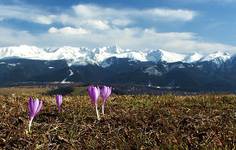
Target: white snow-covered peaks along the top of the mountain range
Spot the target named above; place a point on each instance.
(84, 56)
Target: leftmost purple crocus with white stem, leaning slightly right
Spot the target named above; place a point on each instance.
(34, 107)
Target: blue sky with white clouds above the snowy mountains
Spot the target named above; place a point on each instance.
(176, 25)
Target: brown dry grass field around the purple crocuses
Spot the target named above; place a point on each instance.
(130, 122)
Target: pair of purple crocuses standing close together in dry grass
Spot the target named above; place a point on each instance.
(94, 93)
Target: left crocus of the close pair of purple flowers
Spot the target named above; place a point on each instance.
(94, 93)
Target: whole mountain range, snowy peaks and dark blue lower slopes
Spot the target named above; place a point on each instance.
(113, 65)
